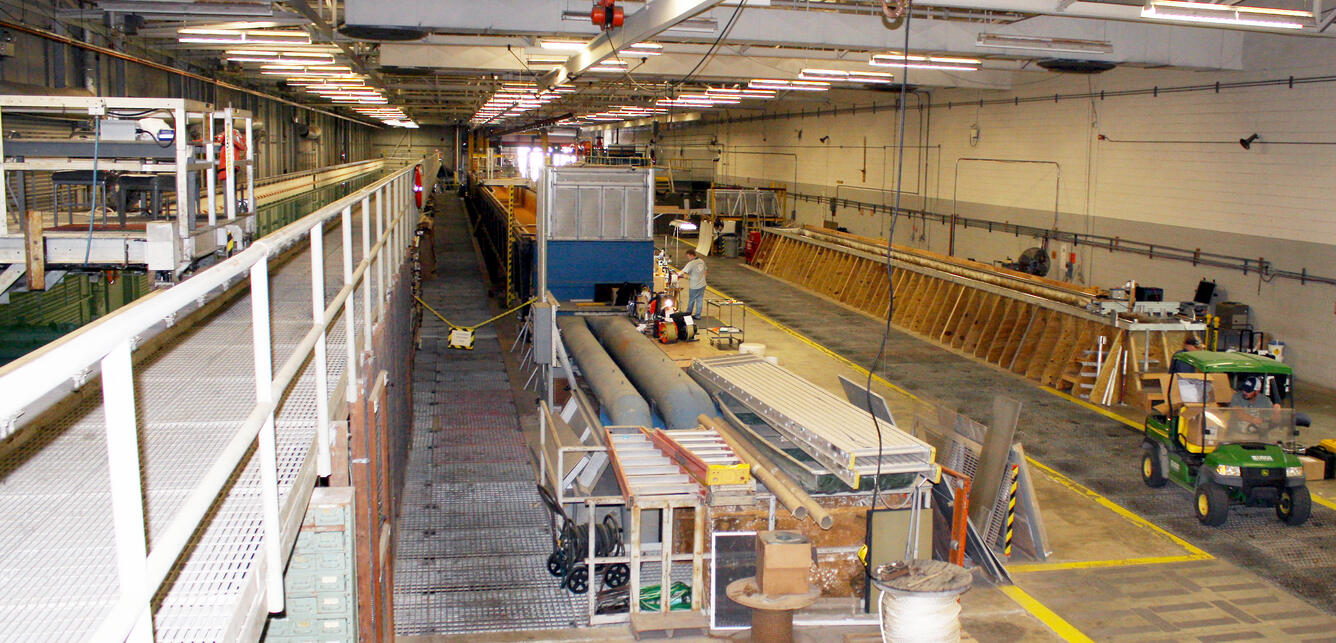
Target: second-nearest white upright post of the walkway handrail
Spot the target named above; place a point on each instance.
(268, 450)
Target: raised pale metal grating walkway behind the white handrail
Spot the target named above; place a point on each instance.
(58, 565)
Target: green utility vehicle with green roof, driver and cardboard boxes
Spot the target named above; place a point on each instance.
(1228, 447)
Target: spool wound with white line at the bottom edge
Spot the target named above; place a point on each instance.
(921, 601)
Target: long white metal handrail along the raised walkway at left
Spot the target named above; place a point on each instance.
(109, 344)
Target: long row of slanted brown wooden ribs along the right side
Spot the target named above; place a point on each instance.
(1048, 347)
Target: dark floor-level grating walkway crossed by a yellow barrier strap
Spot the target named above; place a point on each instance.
(474, 535)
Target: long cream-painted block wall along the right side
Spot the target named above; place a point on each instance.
(1163, 168)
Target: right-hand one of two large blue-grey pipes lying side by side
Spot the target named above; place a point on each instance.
(675, 395)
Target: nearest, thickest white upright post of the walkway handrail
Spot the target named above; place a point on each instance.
(128, 497)
